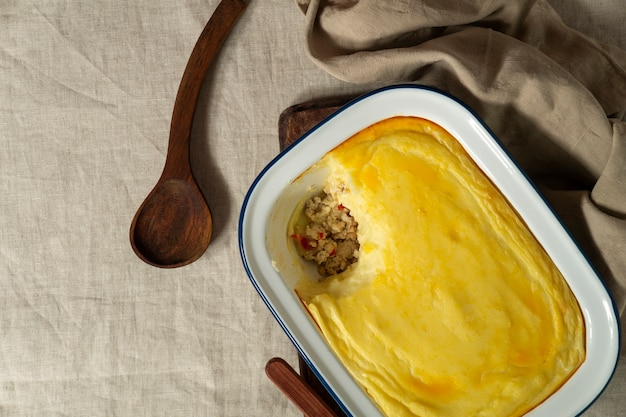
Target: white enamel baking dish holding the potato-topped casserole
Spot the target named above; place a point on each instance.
(274, 268)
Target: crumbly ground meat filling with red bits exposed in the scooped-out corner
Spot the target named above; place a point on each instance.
(330, 235)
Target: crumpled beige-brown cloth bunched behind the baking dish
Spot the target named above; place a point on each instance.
(555, 97)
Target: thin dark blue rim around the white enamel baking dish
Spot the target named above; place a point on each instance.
(261, 174)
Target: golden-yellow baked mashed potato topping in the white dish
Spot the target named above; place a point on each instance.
(453, 308)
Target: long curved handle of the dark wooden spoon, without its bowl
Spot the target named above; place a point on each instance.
(202, 56)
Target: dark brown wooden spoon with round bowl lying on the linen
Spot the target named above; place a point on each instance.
(173, 226)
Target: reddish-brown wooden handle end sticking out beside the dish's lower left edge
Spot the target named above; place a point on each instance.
(296, 389)
